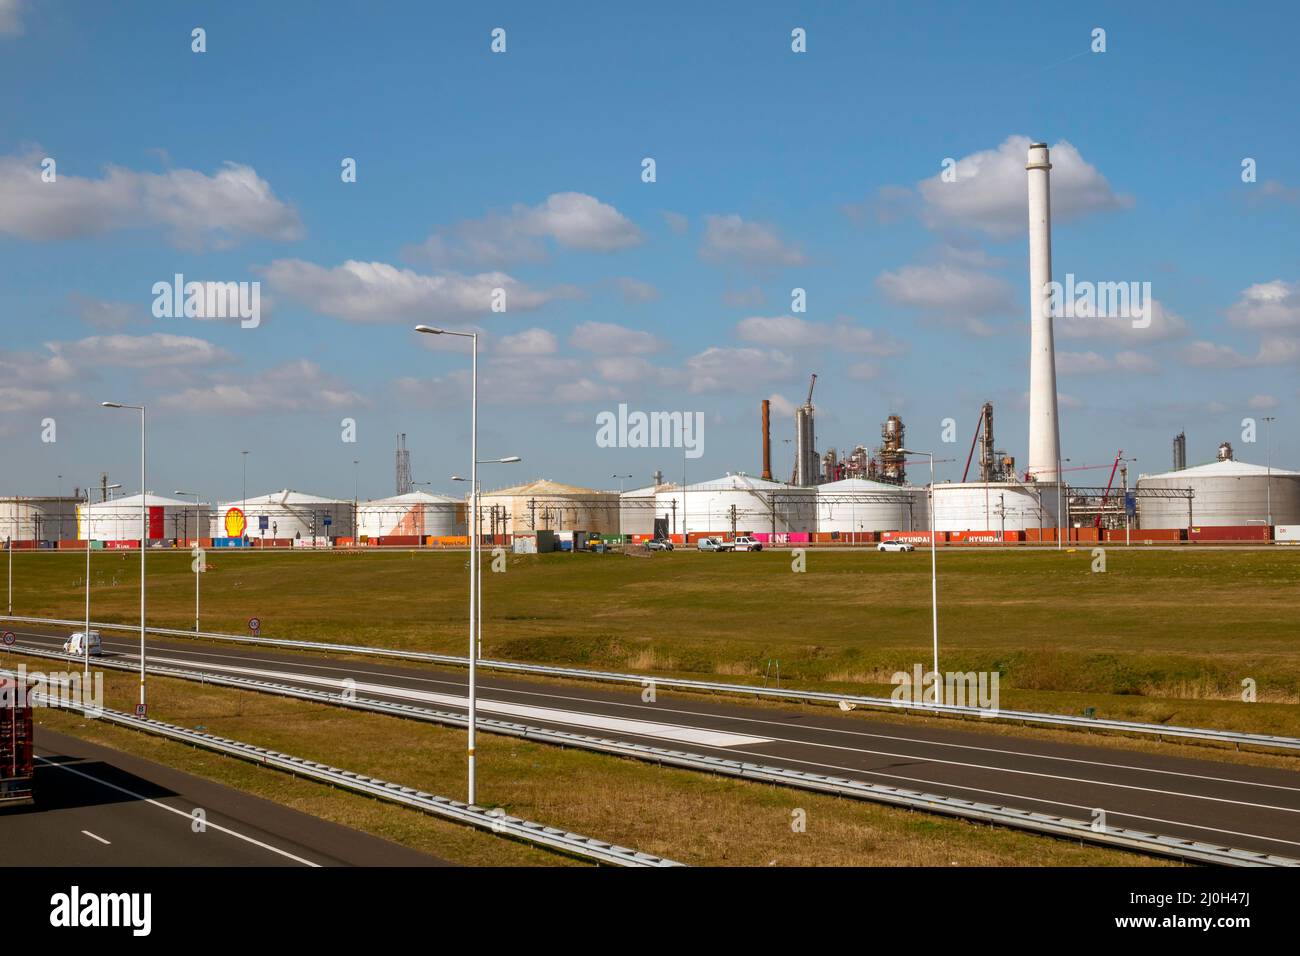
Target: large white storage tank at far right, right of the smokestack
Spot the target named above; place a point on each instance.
(1228, 494)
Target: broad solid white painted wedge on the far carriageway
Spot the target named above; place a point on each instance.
(645, 729)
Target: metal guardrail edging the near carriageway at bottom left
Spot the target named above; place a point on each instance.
(496, 821)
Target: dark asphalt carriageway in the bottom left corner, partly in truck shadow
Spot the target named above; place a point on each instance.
(97, 807)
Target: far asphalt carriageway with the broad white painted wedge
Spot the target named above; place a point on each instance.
(1214, 802)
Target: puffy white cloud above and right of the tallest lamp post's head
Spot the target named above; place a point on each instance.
(574, 220)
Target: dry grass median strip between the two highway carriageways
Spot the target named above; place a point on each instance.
(690, 817)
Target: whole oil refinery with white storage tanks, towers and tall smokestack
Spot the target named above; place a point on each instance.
(833, 498)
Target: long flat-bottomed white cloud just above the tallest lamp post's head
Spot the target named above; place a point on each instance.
(382, 293)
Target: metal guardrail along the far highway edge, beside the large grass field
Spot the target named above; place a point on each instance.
(1093, 724)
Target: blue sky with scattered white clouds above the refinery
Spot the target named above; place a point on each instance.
(523, 171)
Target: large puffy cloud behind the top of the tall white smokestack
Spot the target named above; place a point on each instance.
(990, 192)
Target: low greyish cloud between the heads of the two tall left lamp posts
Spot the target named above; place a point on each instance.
(294, 387)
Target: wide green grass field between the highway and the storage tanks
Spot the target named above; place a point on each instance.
(1162, 635)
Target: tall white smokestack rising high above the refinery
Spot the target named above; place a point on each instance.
(1045, 429)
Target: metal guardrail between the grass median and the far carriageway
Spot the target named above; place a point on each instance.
(1016, 819)
